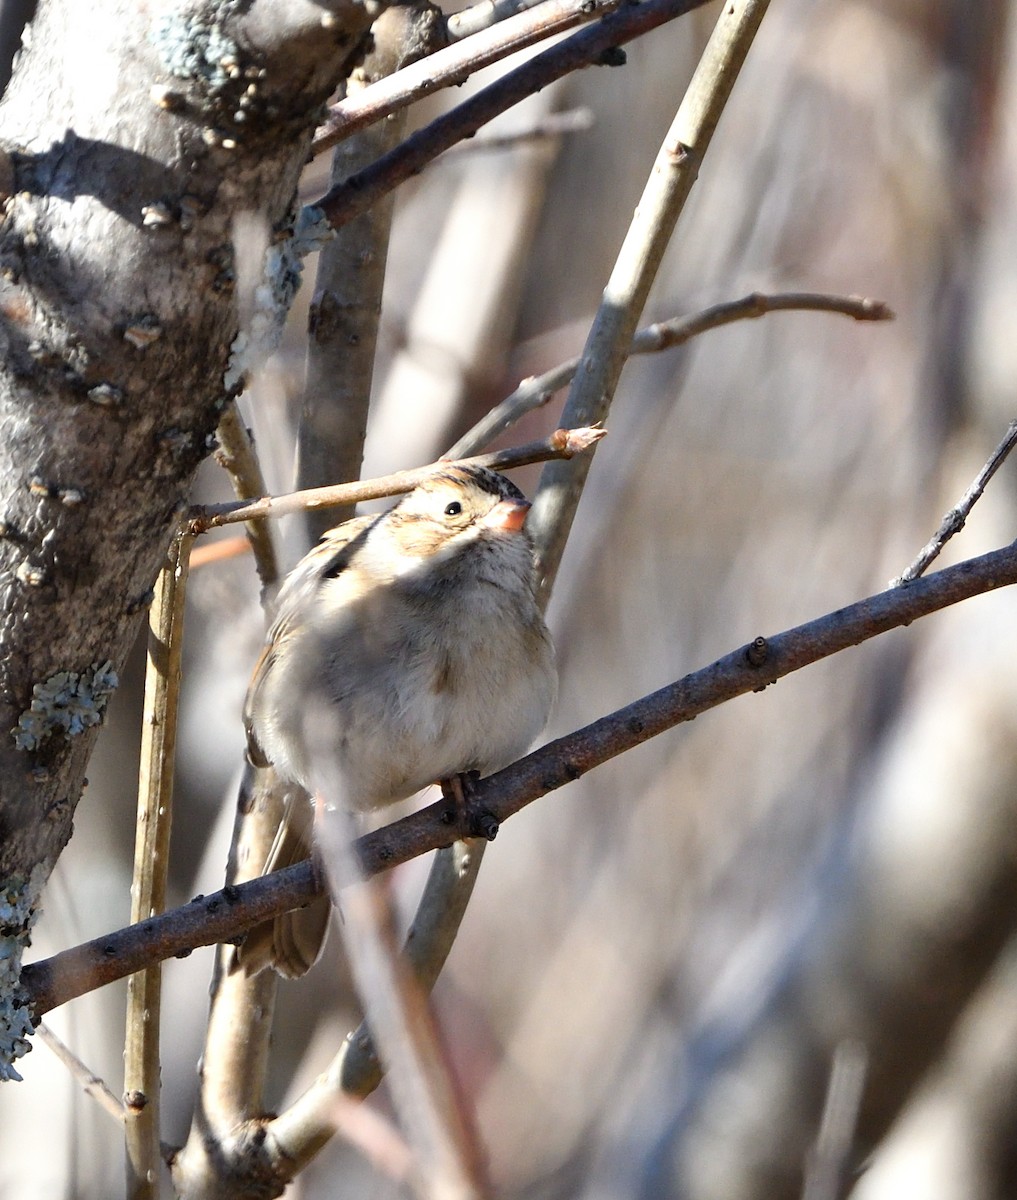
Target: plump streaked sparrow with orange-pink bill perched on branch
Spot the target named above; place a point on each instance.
(408, 650)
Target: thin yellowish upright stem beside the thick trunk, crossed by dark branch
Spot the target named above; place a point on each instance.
(152, 867)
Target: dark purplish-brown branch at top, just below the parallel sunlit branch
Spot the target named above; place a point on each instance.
(587, 47)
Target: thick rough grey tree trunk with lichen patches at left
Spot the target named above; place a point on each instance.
(131, 142)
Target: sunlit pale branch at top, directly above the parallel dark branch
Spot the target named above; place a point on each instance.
(454, 65)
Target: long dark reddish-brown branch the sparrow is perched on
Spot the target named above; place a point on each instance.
(748, 669)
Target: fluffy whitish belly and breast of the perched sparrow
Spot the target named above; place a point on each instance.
(407, 700)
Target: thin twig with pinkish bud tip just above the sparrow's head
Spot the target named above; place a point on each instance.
(562, 445)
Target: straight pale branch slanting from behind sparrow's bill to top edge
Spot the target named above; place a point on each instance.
(667, 189)
